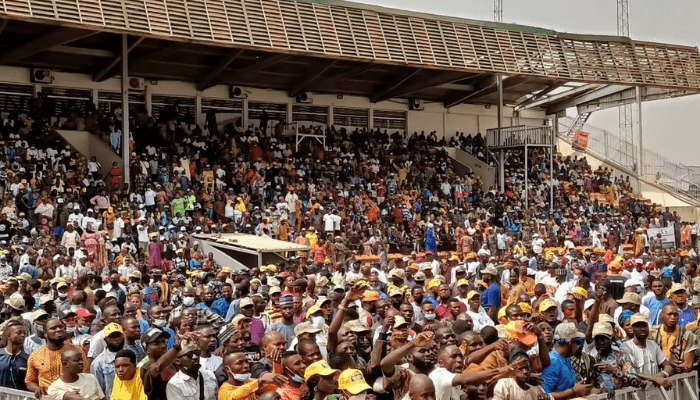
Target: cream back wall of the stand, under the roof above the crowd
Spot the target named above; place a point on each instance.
(470, 119)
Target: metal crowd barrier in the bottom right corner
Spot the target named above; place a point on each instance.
(685, 387)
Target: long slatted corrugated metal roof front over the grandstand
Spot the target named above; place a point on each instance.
(344, 30)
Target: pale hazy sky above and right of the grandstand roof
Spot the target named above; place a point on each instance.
(670, 127)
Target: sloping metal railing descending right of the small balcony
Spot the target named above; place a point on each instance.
(676, 176)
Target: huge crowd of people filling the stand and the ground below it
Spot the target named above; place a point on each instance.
(418, 283)
